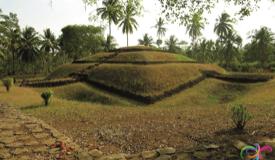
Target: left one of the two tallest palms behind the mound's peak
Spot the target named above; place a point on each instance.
(111, 11)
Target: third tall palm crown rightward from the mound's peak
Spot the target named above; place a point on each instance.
(223, 26)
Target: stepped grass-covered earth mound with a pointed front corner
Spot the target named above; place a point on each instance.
(141, 73)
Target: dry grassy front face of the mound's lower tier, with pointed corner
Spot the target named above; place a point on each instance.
(147, 80)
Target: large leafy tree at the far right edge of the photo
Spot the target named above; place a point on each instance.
(262, 45)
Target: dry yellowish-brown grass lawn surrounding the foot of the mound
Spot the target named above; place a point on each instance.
(198, 115)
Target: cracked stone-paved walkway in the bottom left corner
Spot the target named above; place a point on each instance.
(23, 137)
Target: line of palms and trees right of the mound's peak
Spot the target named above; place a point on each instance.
(228, 50)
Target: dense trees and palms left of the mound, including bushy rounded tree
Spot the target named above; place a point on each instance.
(24, 50)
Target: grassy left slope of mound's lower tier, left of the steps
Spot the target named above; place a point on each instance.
(67, 69)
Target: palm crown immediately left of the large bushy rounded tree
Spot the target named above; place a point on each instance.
(49, 43)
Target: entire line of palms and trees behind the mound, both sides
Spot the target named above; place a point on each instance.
(24, 50)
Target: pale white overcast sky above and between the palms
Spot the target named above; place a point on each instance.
(40, 15)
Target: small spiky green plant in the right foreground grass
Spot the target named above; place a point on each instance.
(240, 116)
